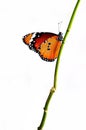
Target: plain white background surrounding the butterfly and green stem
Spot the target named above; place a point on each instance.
(25, 79)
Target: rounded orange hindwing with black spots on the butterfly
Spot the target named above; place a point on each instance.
(49, 49)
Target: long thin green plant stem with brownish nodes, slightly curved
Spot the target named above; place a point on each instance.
(56, 68)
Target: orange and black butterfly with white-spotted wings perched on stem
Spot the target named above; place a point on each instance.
(46, 44)
